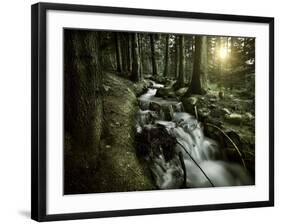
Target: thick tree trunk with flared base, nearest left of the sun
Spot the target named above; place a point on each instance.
(195, 85)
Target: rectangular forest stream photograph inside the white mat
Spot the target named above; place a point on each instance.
(156, 111)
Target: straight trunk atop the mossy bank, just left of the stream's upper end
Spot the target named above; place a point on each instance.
(136, 58)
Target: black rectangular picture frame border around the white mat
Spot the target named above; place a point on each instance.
(39, 122)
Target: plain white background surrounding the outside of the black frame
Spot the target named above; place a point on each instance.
(15, 110)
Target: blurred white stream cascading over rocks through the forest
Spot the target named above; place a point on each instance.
(178, 153)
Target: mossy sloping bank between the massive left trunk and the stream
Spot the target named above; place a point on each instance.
(119, 169)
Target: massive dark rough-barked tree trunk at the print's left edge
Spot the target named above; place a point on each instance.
(82, 92)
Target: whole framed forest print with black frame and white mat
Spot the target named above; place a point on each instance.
(139, 111)
